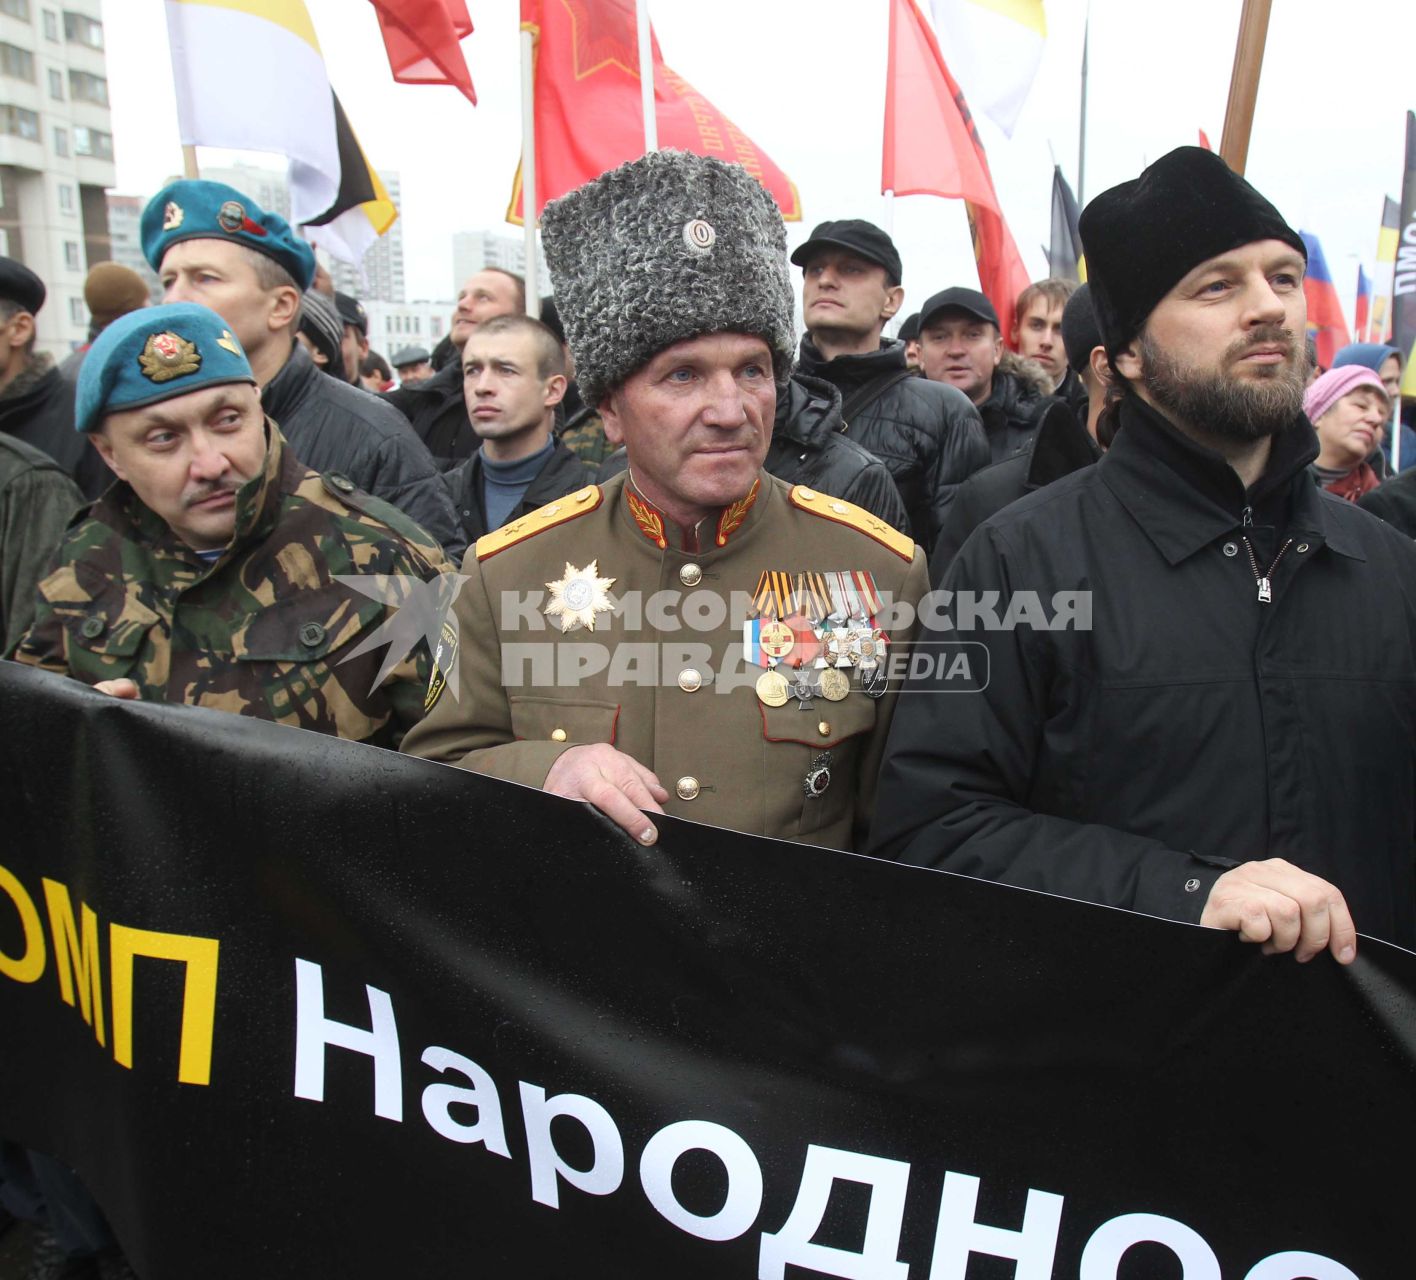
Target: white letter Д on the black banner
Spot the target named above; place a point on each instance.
(886, 1218)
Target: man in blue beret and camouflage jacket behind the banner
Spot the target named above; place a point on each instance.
(210, 574)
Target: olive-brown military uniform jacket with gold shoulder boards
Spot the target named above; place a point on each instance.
(665, 679)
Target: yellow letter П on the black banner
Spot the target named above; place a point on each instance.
(199, 1002)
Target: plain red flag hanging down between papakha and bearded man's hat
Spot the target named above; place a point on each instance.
(932, 148)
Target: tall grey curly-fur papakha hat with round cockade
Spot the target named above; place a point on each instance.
(666, 248)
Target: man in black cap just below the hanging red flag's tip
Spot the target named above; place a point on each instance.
(961, 346)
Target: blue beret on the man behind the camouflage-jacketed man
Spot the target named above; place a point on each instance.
(199, 210)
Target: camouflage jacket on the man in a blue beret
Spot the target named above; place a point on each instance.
(267, 631)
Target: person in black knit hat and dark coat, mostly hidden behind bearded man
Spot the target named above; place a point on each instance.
(1061, 445)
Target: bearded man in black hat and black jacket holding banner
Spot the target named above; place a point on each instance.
(1218, 740)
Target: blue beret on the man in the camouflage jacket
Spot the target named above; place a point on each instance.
(155, 355)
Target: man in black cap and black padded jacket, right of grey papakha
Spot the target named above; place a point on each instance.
(928, 437)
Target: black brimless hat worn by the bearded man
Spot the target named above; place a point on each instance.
(1145, 237)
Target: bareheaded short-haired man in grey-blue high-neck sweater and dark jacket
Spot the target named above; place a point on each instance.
(515, 377)
